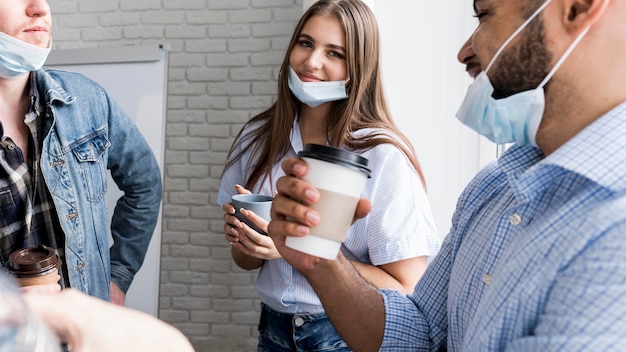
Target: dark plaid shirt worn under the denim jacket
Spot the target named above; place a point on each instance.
(27, 216)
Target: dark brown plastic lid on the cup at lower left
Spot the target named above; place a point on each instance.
(33, 261)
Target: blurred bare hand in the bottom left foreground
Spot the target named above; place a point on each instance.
(90, 324)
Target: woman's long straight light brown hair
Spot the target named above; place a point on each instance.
(365, 107)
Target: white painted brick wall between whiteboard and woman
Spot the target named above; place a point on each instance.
(223, 62)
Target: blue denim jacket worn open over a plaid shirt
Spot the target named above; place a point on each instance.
(86, 134)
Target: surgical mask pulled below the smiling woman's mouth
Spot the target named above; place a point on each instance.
(316, 93)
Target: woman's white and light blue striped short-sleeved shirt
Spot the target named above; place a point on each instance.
(400, 225)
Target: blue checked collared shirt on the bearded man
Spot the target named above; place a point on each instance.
(535, 259)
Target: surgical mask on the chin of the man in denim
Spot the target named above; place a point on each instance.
(18, 57)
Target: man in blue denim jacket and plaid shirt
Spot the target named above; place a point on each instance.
(60, 133)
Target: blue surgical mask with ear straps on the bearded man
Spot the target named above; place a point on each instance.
(512, 119)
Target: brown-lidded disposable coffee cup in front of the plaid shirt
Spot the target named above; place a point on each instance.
(34, 266)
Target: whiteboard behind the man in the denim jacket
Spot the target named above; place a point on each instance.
(136, 77)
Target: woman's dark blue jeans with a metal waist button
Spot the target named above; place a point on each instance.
(297, 332)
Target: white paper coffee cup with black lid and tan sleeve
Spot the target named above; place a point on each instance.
(340, 177)
